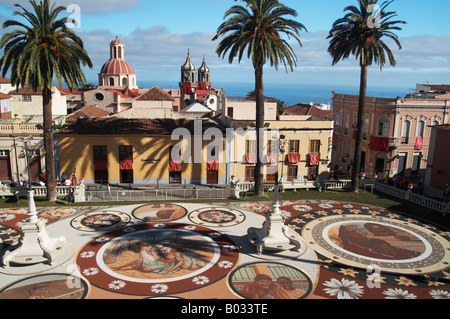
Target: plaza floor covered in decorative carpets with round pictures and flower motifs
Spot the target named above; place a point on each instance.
(202, 251)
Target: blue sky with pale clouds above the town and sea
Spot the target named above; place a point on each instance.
(158, 34)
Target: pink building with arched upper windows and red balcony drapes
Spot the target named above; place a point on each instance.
(396, 133)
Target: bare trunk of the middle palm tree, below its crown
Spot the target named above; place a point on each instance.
(259, 94)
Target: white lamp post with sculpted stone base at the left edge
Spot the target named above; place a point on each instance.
(35, 245)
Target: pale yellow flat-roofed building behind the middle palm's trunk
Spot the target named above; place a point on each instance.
(302, 144)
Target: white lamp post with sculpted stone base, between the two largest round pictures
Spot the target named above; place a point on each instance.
(275, 236)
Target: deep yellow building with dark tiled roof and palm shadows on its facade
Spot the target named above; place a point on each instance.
(143, 151)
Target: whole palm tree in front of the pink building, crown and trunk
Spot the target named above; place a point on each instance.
(360, 33)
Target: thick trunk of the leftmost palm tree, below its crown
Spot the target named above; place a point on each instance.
(48, 145)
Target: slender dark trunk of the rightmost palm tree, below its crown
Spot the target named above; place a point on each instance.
(359, 128)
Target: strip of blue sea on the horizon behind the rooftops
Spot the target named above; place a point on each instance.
(293, 94)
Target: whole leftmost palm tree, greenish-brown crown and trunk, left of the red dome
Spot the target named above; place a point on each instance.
(37, 49)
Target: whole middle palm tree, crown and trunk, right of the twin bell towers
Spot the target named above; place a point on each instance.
(257, 30)
